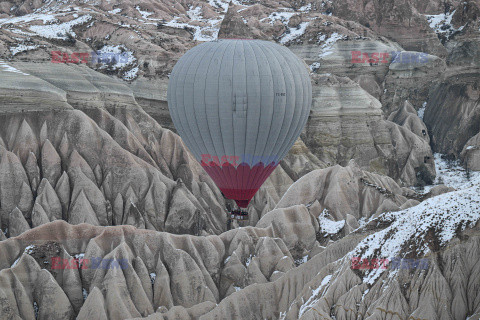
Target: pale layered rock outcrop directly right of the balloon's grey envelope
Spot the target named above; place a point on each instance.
(348, 123)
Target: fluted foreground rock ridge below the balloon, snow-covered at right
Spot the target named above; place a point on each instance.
(254, 272)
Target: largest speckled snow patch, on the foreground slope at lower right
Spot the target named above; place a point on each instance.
(442, 215)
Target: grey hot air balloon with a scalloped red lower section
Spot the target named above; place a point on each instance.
(239, 105)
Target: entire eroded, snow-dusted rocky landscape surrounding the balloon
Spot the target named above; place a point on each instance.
(104, 213)
